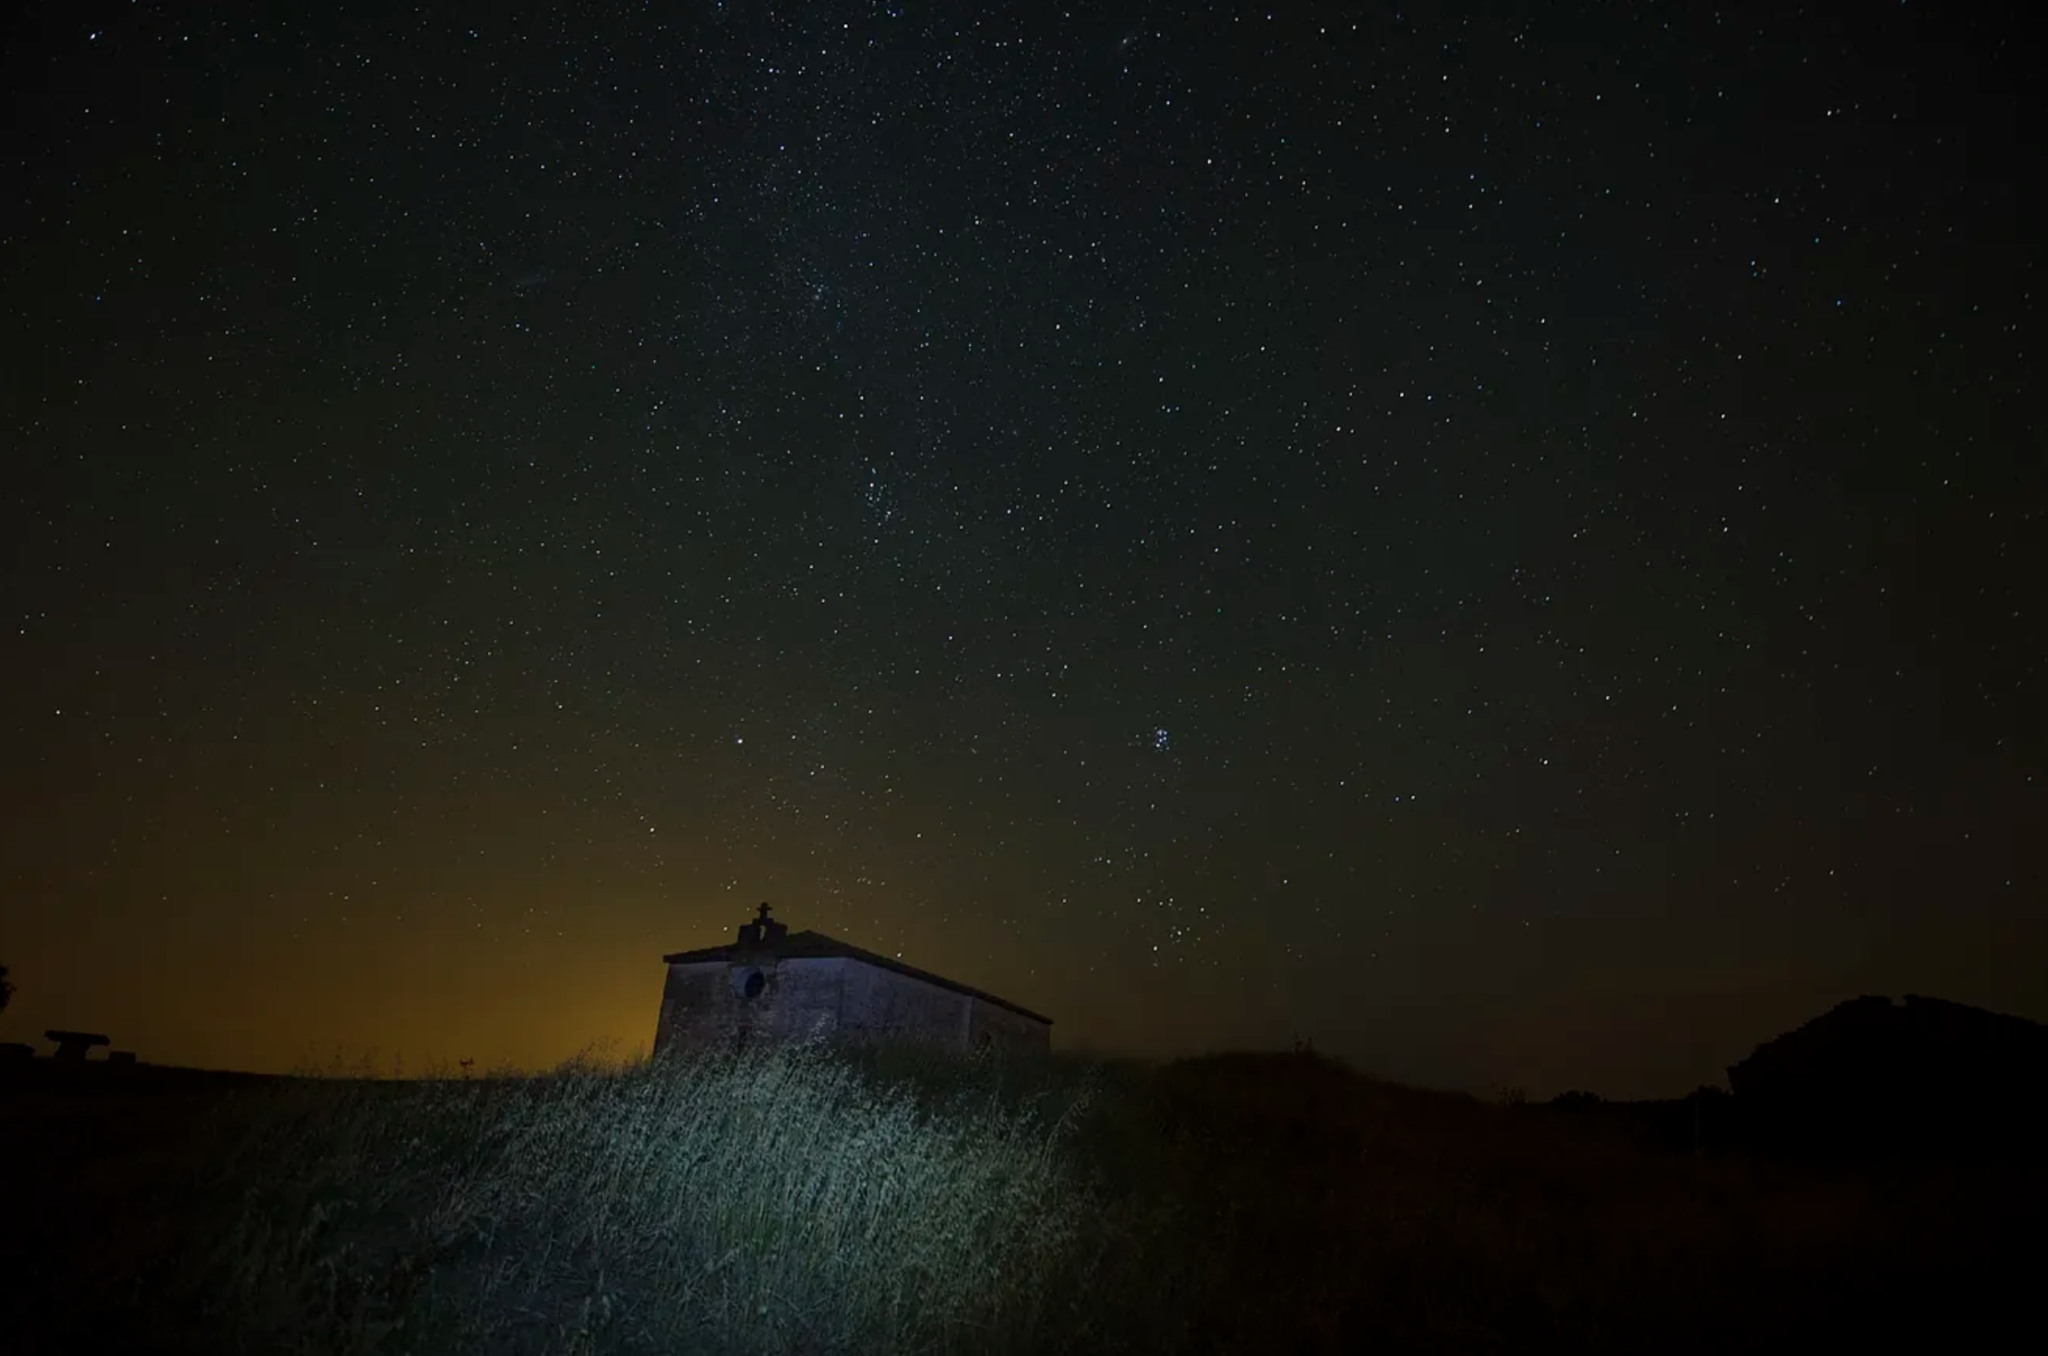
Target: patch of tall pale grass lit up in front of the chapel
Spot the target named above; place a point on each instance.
(769, 1201)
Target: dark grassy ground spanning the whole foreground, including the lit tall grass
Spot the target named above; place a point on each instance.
(828, 1203)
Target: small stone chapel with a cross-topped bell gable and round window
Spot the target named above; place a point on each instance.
(773, 984)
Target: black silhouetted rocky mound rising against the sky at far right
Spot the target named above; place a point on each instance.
(1879, 1076)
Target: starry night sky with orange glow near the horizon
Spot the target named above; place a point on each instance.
(1506, 542)
